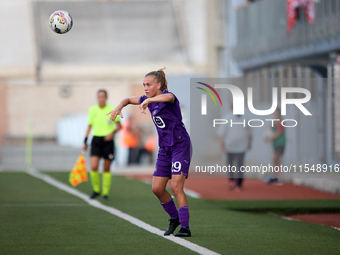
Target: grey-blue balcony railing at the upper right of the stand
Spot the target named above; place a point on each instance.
(262, 32)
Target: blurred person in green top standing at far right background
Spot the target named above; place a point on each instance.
(278, 139)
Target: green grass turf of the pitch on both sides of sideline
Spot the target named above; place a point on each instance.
(81, 229)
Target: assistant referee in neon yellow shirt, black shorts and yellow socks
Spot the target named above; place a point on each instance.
(102, 145)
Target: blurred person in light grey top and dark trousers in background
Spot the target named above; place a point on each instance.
(235, 141)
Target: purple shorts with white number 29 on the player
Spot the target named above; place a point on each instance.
(174, 159)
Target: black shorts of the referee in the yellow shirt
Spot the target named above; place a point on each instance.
(101, 148)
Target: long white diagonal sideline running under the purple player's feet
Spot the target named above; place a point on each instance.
(133, 220)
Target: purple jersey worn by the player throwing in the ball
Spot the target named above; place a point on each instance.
(167, 118)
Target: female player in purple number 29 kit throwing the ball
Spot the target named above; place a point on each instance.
(174, 154)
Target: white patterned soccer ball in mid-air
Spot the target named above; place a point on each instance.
(61, 22)
